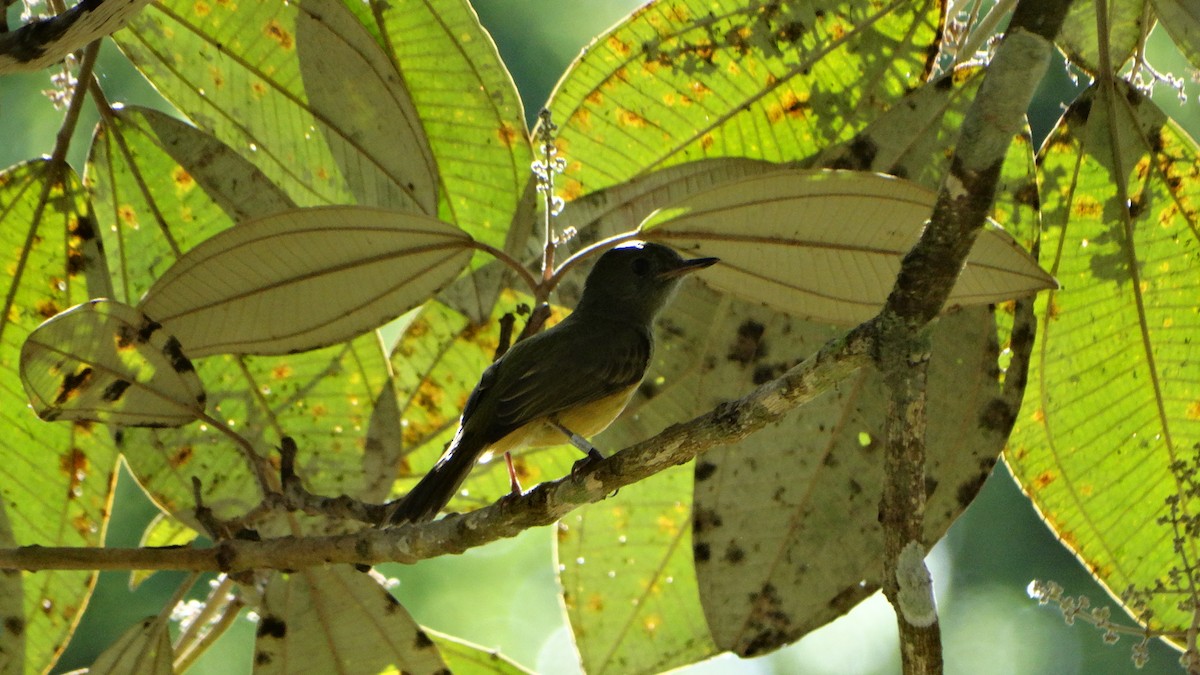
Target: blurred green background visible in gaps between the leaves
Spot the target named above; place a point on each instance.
(505, 594)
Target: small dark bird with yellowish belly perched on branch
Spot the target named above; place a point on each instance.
(566, 384)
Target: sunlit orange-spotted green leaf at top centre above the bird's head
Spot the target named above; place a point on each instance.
(689, 80)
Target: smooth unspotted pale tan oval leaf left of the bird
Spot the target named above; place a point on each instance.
(304, 279)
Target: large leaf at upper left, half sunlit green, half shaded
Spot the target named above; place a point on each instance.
(301, 89)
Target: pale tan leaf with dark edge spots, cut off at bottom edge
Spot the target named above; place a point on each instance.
(339, 620)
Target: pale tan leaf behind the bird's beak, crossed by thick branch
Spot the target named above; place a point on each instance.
(827, 246)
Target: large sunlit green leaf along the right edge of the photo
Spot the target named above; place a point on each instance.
(1107, 441)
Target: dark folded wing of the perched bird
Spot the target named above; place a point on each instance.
(549, 387)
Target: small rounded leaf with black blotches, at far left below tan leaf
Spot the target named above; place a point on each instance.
(107, 362)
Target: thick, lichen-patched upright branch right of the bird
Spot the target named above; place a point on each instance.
(926, 279)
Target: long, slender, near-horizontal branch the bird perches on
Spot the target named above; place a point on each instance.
(509, 517)
